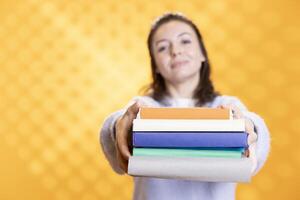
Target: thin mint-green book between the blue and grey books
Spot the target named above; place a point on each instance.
(169, 152)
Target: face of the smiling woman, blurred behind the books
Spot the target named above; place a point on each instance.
(177, 52)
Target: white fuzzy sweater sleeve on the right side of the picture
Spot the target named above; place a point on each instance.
(263, 140)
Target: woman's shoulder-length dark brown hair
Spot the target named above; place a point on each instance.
(157, 89)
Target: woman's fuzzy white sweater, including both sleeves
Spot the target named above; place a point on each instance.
(165, 189)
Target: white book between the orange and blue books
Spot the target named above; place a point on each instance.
(236, 125)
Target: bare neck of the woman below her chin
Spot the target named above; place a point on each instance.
(182, 90)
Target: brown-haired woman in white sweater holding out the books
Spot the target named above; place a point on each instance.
(181, 78)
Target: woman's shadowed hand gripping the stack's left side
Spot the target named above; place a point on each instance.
(123, 128)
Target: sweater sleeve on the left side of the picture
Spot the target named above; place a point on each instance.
(107, 132)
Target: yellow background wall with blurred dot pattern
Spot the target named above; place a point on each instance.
(66, 65)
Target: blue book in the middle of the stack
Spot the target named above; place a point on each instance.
(189, 139)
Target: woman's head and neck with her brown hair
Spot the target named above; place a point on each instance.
(175, 40)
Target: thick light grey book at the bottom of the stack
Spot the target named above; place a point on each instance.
(197, 169)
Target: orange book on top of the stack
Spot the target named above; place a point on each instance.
(184, 113)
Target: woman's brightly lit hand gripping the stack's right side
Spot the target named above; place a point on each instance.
(252, 137)
